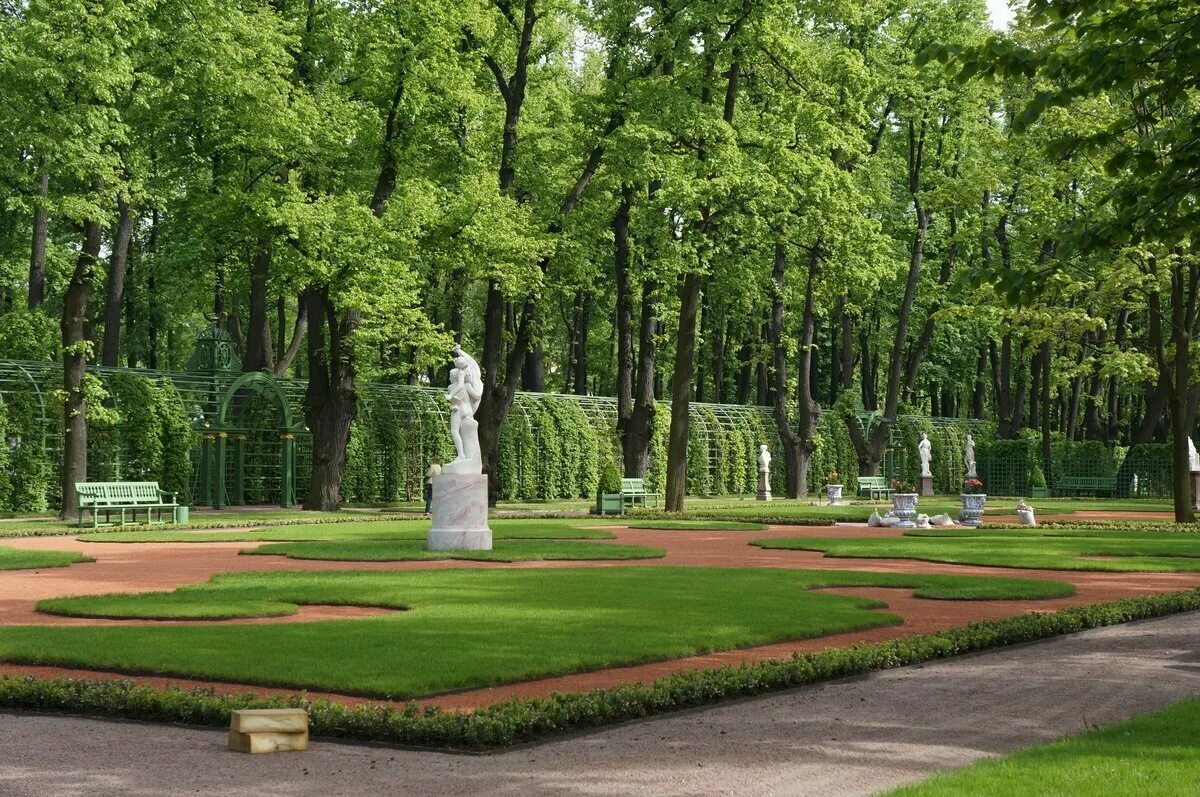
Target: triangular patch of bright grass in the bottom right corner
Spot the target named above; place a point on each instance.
(1154, 754)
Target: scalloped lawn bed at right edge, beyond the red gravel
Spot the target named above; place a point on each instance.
(1109, 552)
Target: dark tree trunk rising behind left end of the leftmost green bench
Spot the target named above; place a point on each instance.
(75, 406)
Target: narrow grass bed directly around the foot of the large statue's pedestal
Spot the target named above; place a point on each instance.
(415, 550)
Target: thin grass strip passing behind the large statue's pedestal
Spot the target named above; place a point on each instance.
(403, 530)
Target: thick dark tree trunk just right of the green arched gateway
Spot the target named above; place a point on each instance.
(331, 399)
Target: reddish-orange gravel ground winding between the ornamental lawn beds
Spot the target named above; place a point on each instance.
(147, 567)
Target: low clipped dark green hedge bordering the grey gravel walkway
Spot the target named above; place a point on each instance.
(526, 721)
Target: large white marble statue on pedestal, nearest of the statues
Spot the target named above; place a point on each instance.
(460, 494)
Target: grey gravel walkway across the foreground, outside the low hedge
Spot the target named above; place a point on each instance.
(847, 739)
